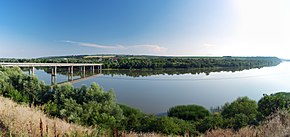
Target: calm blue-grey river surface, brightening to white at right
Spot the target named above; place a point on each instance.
(157, 93)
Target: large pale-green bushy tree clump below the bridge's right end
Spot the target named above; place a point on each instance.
(86, 106)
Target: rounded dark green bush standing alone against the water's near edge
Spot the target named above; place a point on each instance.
(188, 112)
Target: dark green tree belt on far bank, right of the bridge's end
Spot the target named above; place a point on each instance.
(188, 62)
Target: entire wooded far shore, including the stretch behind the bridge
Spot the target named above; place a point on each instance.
(159, 62)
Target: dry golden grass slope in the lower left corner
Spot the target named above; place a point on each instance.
(20, 120)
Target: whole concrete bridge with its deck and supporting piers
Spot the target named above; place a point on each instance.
(54, 67)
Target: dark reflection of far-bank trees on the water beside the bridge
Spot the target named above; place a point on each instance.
(143, 73)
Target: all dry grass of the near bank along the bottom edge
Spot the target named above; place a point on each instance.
(21, 120)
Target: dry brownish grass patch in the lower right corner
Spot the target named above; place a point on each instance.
(278, 125)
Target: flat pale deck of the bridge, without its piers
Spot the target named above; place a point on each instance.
(47, 64)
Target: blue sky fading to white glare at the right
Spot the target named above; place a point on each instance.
(38, 28)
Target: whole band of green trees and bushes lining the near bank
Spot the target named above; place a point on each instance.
(92, 106)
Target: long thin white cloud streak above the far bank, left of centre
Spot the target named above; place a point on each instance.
(133, 48)
